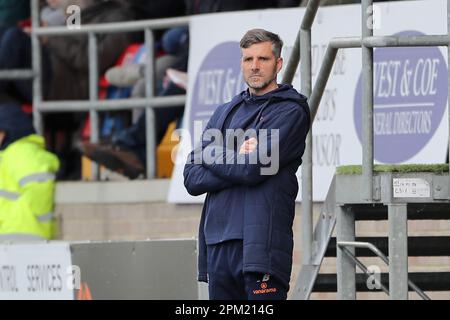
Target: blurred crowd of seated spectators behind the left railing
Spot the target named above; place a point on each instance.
(122, 70)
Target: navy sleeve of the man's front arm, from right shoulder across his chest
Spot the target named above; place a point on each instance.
(282, 142)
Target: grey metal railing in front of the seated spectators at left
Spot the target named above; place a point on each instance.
(93, 105)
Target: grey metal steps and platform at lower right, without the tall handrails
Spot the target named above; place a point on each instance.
(345, 206)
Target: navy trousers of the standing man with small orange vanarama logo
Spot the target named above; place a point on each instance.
(227, 281)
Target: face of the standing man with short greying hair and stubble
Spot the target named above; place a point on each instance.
(260, 67)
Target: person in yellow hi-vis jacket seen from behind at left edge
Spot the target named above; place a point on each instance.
(27, 179)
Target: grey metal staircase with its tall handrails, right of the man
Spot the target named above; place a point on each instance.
(395, 196)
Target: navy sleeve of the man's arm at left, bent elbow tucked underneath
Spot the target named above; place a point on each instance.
(197, 178)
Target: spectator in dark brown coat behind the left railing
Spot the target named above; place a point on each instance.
(69, 80)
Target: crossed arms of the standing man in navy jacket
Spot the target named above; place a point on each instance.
(231, 168)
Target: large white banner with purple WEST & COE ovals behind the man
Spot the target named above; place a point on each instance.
(410, 84)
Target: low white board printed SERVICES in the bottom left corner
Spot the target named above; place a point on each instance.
(36, 272)
